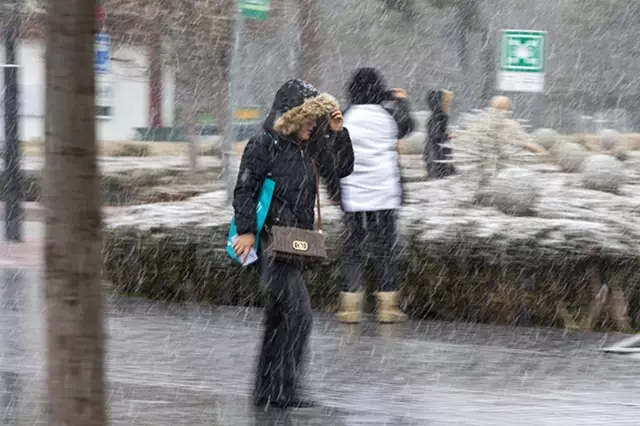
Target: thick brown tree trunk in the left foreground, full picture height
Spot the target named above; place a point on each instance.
(73, 238)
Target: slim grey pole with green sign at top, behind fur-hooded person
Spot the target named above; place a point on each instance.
(250, 9)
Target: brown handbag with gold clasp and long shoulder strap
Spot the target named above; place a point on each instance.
(287, 243)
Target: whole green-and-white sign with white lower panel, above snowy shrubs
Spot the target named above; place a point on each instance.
(522, 61)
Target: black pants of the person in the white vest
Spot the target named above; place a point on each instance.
(379, 228)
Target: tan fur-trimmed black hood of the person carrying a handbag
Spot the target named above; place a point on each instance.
(295, 104)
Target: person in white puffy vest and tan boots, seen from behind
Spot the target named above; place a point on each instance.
(371, 195)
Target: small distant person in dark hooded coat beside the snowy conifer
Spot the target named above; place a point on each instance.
(439, 102)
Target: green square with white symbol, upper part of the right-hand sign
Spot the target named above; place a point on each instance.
(522, 51)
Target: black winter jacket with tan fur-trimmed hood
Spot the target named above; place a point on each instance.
(275, 153)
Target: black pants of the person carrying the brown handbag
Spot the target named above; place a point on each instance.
(288, 321)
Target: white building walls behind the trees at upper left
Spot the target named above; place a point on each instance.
(126, 90)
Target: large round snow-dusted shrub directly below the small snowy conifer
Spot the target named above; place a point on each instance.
(515, 191)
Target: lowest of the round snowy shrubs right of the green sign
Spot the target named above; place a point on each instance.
(603, 173)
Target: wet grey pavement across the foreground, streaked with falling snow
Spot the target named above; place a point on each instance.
(189, 365)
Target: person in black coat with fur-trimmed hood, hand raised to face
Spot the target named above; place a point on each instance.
(303, 127)
